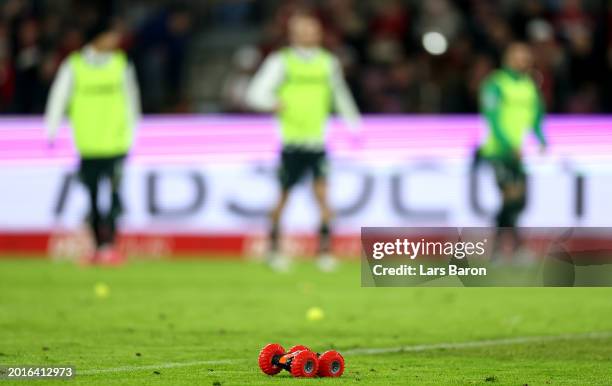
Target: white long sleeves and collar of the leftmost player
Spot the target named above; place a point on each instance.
(61, 91)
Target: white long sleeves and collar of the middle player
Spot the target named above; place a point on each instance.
(262, 91)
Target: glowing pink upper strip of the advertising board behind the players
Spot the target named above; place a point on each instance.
(209, 139)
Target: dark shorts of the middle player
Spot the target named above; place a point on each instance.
(297, 163)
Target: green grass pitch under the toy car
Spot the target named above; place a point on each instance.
(204, 322)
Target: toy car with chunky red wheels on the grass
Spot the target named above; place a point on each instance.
(300, 361)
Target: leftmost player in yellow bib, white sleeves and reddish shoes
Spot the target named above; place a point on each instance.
(98, 88)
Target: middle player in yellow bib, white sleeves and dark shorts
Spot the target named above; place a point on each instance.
(300, 83)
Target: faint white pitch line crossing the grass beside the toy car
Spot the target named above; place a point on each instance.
(374, 351)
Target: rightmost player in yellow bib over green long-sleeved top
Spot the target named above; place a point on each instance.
(512, 106)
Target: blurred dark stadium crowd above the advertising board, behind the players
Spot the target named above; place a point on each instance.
(399, 56)
